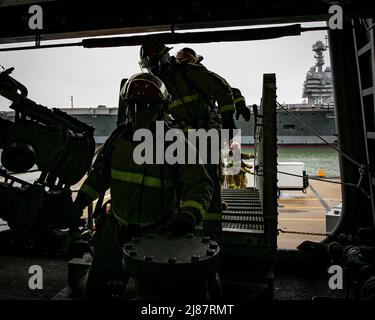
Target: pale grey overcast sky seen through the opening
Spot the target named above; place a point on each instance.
(92, 76)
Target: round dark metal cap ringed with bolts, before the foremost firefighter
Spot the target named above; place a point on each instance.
(170, 258)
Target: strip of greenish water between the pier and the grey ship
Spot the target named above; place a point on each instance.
(315, 159)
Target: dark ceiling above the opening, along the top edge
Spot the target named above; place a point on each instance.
(65, 18)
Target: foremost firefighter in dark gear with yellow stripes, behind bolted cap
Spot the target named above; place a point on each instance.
(144, 197)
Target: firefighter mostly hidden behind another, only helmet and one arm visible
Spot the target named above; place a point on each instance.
(188, 55)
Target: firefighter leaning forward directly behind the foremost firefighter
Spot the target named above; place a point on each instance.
(194, 91)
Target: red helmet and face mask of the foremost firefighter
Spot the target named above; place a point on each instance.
(145, 97)
